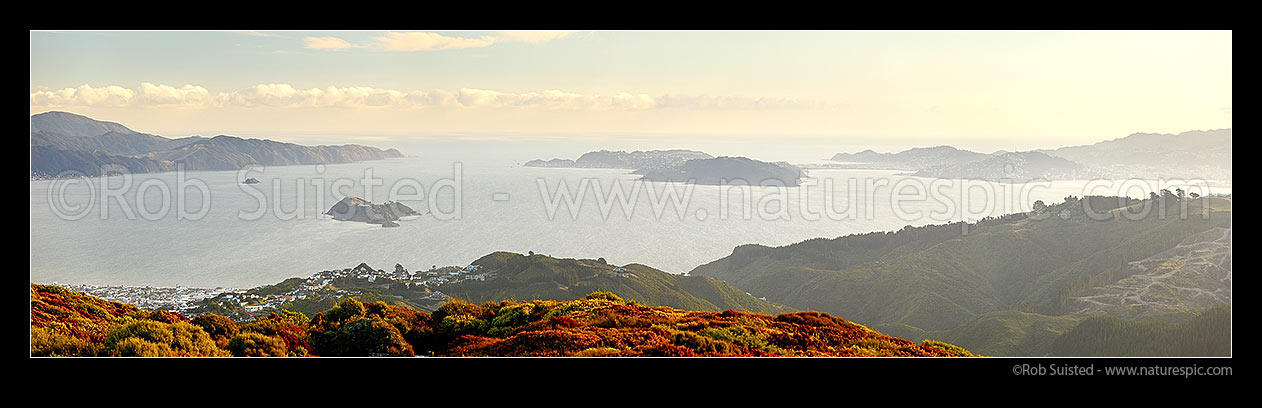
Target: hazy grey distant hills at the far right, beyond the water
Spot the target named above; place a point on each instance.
(1189, 156)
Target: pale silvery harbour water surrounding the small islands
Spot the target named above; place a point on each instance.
(502, 209)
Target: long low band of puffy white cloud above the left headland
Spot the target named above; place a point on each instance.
(285, 95)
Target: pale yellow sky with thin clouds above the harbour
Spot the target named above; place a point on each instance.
(982, 90)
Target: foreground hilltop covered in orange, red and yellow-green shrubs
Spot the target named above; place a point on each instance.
(598, 325)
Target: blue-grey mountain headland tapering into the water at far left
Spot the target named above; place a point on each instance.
(64, 142)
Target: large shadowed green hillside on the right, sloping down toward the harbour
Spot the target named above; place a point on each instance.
(936, 280)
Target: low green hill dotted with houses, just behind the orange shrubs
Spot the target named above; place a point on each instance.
(492, 279)
